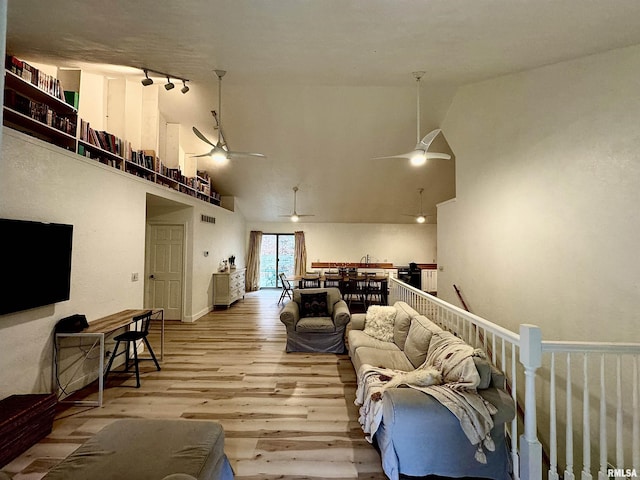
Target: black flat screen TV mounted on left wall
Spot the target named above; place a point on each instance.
(37, 266)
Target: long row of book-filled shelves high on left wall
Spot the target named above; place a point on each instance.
(35, 104)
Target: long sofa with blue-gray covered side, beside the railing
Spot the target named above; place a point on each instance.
(417, 435)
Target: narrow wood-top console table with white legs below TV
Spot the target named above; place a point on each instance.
(97, 331)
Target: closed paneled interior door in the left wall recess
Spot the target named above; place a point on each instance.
(166, 258)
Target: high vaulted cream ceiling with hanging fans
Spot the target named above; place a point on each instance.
(319, 86)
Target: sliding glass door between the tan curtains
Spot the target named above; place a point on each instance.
(276, 257)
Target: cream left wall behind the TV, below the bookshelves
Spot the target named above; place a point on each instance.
(107, 208)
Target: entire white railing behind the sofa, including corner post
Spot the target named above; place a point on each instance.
(606, 399)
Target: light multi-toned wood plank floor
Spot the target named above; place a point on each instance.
(285, 416)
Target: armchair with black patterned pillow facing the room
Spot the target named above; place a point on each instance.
(316, 320)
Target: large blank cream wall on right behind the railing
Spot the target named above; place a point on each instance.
(545, 228)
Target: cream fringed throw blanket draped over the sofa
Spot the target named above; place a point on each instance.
(460, 396)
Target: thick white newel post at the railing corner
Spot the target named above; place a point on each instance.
(531, 359)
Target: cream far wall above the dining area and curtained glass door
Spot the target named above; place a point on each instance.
(344, 242)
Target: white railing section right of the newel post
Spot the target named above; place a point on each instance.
(608, 373)
